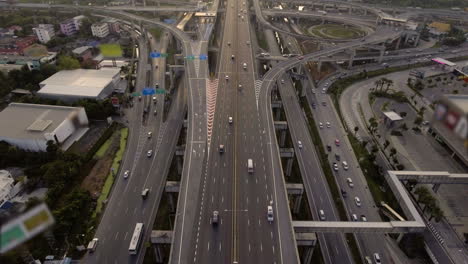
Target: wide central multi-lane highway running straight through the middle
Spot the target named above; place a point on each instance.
(243, 233)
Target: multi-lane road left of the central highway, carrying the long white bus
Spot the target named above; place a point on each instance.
(121, 215)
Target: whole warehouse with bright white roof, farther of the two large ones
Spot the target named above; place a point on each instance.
(73, 85)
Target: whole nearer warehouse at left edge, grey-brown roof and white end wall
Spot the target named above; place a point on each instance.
(31, 126)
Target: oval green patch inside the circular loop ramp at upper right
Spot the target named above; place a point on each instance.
(335, 31)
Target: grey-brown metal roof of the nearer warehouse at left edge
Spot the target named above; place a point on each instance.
(32, 121)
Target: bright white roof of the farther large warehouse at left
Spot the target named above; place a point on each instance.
(78, 83)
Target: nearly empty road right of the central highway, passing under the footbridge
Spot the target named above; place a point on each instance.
(333, 246)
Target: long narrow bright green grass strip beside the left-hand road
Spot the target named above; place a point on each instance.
(110, 178)
